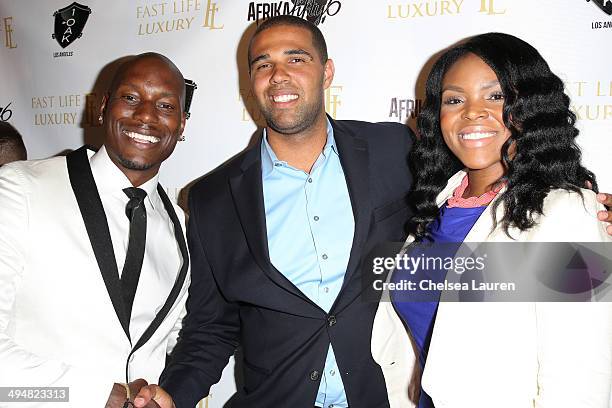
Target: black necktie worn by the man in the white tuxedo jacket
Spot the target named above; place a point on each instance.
(137, 214)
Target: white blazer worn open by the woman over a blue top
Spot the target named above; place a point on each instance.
(515, 355)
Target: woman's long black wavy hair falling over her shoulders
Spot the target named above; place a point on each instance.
(536, 111)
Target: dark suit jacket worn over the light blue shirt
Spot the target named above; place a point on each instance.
(238, 297)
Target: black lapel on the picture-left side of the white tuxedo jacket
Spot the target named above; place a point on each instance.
(90, 205)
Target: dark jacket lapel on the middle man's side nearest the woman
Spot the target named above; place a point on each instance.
(354, 159)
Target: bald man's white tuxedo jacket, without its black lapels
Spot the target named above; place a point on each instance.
(58, 326)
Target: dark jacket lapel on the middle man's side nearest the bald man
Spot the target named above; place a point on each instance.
(247, 193)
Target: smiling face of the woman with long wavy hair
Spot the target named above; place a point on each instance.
(471, 115)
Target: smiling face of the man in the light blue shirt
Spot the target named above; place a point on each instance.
(288, 78)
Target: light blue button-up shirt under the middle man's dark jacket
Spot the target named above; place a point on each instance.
(310, 229)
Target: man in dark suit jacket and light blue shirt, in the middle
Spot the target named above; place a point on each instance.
(258, 283)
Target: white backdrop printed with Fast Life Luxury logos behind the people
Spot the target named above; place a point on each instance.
(56, 58)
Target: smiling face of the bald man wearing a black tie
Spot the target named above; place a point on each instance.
(143, 117)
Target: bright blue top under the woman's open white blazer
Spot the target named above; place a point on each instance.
(452, 226)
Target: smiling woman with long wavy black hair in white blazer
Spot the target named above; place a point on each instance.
(497, 138)
